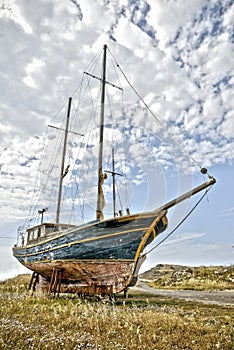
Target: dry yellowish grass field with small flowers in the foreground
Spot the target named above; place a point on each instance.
(67, 322)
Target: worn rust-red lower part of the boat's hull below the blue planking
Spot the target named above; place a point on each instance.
(87, 277)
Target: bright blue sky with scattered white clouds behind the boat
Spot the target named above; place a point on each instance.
(178, 55)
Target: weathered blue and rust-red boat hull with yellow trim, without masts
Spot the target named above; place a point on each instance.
(99, 258)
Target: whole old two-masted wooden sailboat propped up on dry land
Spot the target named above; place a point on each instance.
(99, 257)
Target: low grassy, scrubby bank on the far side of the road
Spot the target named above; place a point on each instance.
(194, 278)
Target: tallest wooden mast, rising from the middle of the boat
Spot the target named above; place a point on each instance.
(101, 176)
